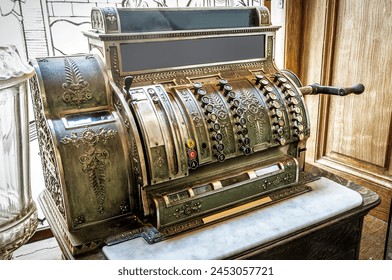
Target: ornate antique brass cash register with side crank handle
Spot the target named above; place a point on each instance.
(176, 120)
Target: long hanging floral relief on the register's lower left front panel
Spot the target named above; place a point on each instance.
(95, 160)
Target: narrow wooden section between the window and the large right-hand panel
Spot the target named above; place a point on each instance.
(304, 41)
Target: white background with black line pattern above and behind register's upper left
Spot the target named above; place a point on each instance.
(54, 27)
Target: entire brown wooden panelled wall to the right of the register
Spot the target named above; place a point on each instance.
(342, 42)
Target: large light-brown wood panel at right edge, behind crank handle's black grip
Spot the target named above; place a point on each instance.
(359, 126)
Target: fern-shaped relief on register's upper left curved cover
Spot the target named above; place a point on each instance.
(76, 88)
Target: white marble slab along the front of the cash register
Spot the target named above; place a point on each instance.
(247, 231)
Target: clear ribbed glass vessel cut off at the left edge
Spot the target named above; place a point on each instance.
(18, 212)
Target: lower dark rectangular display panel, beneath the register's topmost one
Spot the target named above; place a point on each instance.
(190, 52)
